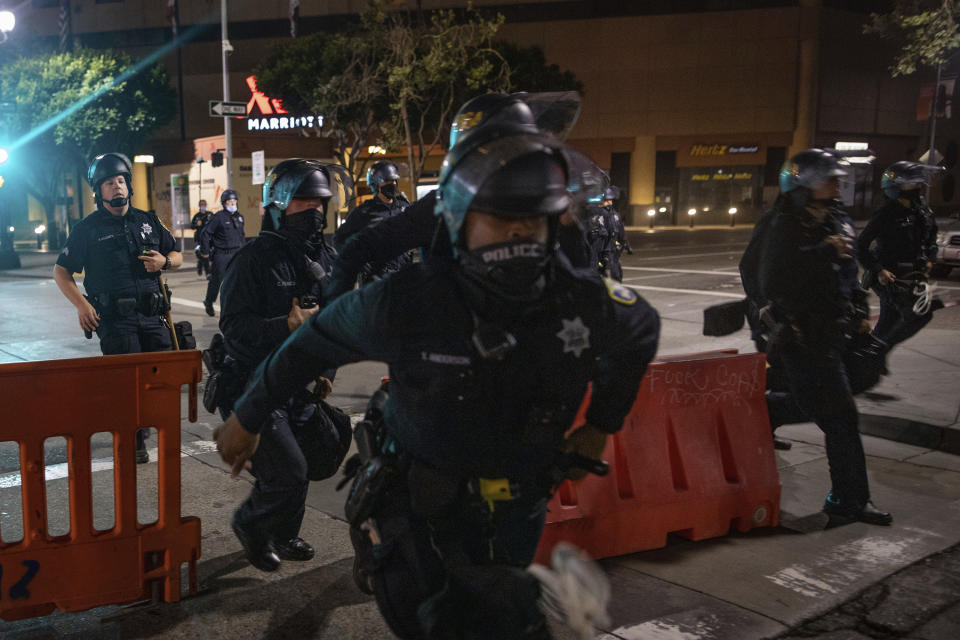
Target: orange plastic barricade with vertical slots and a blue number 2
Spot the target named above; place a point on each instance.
(75, 399)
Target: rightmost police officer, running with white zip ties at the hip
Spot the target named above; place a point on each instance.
(905, 233)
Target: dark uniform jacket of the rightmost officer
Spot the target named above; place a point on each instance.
(904, 235)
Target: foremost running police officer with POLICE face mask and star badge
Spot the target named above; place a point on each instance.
(474, 403)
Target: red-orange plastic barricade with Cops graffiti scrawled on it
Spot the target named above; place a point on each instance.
(694, 457)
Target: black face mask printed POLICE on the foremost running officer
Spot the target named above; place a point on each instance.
(509, 270)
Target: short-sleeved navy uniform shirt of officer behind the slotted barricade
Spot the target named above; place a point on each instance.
(107, 247)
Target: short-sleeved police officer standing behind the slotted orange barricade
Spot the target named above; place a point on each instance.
(121, 251)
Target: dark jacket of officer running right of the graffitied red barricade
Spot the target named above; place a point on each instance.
(805, 279)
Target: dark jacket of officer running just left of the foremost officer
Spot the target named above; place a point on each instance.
(258, 290)
